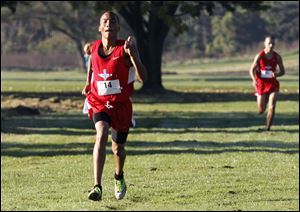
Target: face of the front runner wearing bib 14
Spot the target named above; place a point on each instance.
(109, 26)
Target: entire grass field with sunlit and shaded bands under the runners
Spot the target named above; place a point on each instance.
(196, 147)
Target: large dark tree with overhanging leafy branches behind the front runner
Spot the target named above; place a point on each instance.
(151, 21)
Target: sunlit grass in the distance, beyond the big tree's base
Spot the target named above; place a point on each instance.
(211, 76)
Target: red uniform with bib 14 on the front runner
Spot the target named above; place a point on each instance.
(111, 88)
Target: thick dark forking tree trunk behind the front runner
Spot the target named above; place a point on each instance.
(150, 35)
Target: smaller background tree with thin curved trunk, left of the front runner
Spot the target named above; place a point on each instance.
(79, 25)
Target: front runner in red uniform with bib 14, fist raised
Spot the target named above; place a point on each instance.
(109, 98)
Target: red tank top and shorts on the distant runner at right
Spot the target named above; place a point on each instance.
(266, 81)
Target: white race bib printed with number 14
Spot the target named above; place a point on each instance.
(108, 87)
